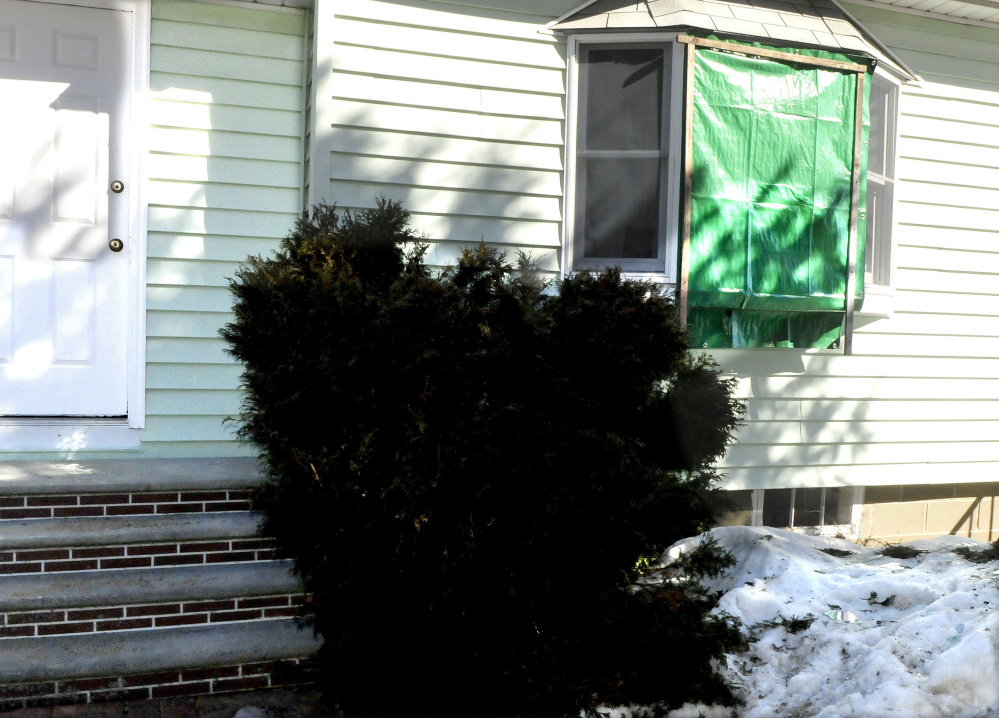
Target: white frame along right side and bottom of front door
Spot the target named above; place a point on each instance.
(71, 434)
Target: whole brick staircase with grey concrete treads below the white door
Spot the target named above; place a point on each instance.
(140, 579)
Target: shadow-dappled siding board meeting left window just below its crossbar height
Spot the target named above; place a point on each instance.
(447, 176)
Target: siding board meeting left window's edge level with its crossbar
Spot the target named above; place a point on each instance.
(405, 145)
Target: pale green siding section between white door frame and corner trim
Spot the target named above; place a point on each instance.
(225, 166)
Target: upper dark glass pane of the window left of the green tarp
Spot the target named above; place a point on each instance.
(624, 99)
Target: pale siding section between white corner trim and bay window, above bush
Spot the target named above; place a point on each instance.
(457, 112)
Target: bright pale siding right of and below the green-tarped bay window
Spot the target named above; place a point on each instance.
(919, 401)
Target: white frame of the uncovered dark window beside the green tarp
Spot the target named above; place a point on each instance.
(662, 269)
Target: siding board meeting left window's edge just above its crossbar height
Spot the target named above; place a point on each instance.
(442, 122)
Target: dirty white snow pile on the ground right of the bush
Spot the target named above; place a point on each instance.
(859, 635)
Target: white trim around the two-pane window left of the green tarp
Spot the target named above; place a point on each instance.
(673, 164)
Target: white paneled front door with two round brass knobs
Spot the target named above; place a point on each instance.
(64, 109)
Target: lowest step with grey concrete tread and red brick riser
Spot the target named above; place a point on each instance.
(142, 665)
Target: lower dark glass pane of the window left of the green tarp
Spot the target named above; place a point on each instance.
(622, 208)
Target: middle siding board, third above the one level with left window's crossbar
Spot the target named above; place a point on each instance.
(446, 70)
